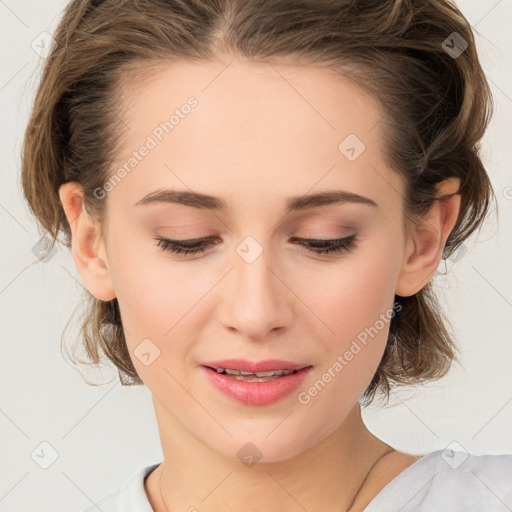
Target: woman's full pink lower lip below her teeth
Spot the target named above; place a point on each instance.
(257, 393)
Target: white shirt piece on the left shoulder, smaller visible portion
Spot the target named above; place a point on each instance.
(130, 497)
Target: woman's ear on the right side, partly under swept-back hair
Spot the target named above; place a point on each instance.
(425, 245)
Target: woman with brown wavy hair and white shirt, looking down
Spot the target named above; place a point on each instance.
(257, 196)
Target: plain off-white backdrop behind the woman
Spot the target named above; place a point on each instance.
(99, 435)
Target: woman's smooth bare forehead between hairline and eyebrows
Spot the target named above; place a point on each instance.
(260, 126)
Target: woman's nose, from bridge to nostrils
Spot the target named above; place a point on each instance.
(256, 299)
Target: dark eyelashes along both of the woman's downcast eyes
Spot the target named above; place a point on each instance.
(188, 247)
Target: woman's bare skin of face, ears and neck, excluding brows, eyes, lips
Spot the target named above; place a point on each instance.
(255, 140)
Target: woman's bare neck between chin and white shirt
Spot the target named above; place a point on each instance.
(326, 476)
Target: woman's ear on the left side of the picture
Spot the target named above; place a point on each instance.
(87, 245)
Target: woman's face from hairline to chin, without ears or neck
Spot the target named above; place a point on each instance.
(255, 139)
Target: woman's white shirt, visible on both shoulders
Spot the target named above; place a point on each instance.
(441, 481)
